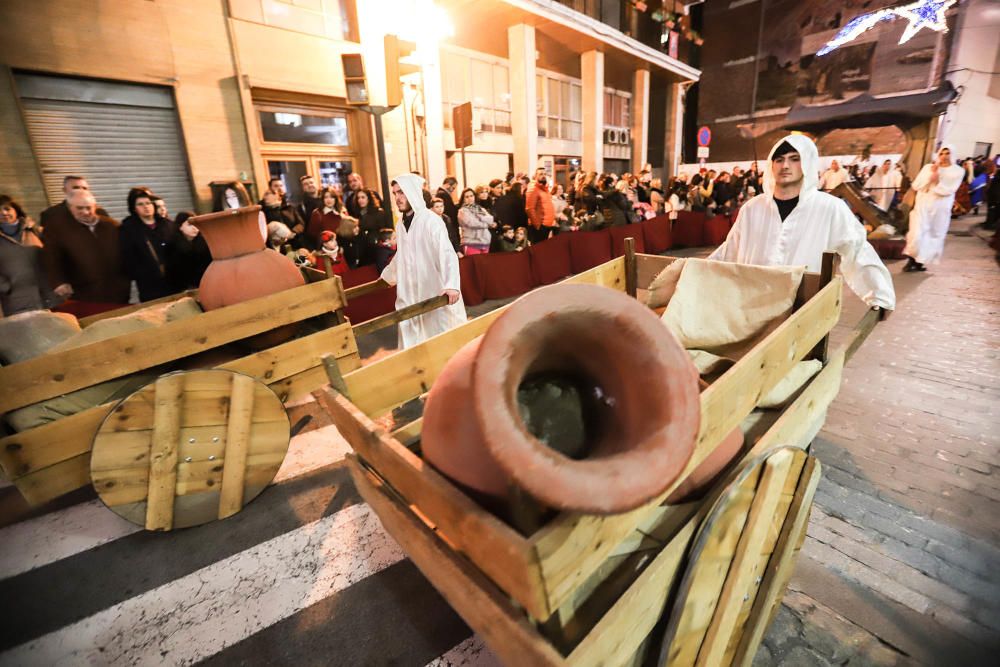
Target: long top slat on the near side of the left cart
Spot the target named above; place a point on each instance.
(61, 372)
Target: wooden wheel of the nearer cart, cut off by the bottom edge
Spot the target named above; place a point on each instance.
(740, 561)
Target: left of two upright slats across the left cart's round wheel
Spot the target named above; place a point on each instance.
(163, 453)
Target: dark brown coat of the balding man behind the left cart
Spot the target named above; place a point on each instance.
(89, 261)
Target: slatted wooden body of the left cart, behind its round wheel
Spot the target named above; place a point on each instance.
(53, 459)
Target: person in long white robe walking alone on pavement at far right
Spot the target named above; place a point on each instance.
(930, 218)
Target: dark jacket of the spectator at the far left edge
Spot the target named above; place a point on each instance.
(23, 285)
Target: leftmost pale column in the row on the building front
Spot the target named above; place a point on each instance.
(523, 97)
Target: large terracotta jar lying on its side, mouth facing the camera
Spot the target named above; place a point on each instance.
(641, 434)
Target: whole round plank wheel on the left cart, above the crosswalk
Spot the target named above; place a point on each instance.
(189, 448)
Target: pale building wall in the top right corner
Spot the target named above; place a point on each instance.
(976, 115)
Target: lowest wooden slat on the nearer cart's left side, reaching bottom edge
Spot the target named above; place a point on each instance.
(476, 599)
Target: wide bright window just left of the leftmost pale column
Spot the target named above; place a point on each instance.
(484, 83)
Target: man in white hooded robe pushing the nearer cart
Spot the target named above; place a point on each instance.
(792, 223)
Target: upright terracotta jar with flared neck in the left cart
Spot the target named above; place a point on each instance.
(242, 267)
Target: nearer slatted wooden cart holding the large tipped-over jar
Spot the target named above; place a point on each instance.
(592, 590)
